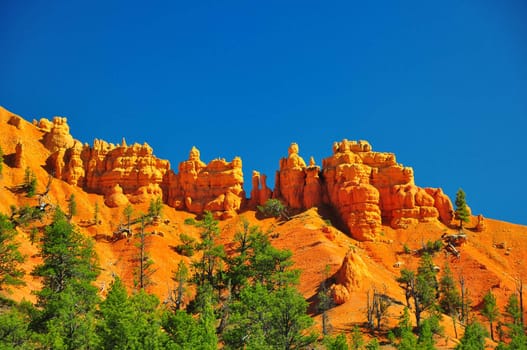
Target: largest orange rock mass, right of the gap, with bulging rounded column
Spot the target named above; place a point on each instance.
(367, 189)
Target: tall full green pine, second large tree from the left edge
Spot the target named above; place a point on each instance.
(67, 299)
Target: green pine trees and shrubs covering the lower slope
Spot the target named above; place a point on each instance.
(244, 296)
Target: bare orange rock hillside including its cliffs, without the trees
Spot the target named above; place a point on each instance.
(388, 217)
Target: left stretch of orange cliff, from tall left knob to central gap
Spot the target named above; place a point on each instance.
(133, 174)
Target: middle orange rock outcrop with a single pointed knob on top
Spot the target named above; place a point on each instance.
(215, 187)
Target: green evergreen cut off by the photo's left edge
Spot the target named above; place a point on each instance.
(11, 273)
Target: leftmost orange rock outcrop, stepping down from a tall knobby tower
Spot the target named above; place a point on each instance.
(115, 171)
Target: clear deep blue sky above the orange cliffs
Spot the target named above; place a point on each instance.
(443, 85)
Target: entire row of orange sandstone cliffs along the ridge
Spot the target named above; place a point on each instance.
(366, 189)
